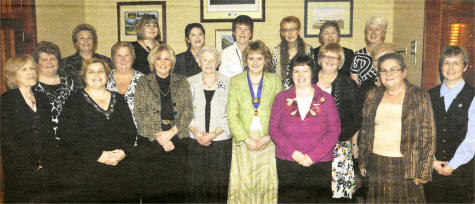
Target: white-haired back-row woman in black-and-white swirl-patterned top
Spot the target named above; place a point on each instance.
(375, 33)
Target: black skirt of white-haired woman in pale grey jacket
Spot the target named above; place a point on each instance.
(209, 171)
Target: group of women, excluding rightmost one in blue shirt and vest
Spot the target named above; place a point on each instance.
(245, 126)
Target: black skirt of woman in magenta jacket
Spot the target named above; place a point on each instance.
(298, 184)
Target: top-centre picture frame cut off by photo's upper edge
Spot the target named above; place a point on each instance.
(228, 10)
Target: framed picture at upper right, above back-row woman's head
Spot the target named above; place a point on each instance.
(317, 12)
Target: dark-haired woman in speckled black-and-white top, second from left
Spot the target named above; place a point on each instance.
(57, 88)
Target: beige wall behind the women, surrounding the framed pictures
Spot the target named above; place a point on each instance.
(57, 18)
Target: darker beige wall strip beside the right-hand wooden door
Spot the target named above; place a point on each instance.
(408, 26)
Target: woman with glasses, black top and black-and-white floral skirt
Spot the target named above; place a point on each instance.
(345, 92)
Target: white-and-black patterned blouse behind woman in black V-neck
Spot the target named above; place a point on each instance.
(129, 95)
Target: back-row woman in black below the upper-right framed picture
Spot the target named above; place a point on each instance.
(330, 32)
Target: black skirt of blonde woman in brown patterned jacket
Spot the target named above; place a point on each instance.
(164, 174)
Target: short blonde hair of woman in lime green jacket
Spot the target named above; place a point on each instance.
(260, 48)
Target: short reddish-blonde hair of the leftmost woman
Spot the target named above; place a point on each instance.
(14, 64)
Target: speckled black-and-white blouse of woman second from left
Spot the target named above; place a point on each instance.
(57, 96)
